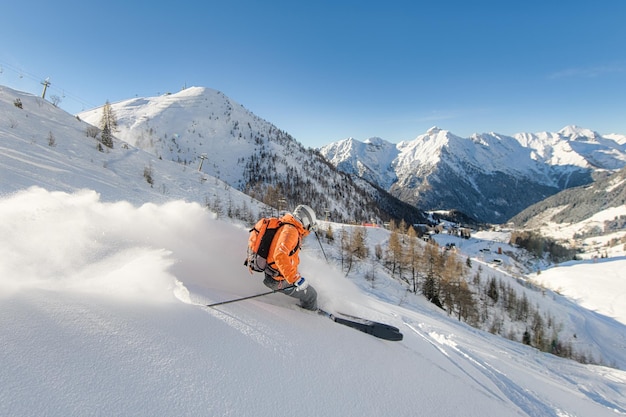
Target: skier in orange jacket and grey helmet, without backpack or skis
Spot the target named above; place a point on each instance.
(283, 258)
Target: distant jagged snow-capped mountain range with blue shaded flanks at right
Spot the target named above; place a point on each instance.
(490, 177)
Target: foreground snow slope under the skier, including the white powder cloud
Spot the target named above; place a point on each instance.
(102, 314)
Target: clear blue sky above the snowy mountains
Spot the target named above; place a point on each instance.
(331, 69)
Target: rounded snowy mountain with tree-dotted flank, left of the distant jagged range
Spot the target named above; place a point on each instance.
(202, 126)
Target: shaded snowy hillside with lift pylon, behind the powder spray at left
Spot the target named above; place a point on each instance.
(45, 146)
